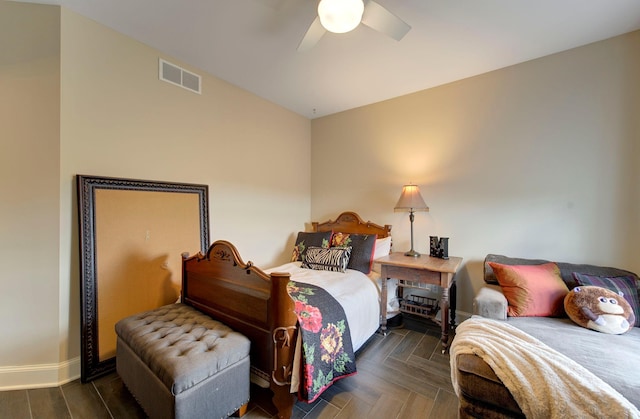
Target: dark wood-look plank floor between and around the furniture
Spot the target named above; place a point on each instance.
(401, 375)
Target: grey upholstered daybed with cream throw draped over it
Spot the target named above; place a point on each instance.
(560, 368)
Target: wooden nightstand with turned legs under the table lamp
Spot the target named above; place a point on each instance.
(417, 272)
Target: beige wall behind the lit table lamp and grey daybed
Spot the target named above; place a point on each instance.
(536, 160)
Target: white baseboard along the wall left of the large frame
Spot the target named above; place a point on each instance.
(39, 376)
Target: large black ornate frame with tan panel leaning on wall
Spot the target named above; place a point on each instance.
(132, 234)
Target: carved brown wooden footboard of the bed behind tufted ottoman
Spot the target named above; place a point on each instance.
(251, 302)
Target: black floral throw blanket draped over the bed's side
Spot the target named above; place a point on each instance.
(327, 352)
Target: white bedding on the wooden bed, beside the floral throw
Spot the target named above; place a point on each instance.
(357, 293)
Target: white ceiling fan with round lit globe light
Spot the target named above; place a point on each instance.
(340, 16)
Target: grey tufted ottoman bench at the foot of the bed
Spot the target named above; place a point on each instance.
(179, 363)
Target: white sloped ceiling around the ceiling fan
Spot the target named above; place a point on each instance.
(252, 43)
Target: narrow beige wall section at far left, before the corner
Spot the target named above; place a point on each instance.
(30, 202)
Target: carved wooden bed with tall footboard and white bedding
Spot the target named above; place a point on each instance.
(257, 303)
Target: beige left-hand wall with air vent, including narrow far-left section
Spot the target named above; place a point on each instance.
(106, 113)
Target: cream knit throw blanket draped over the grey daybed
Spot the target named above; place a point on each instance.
(544, 383)
